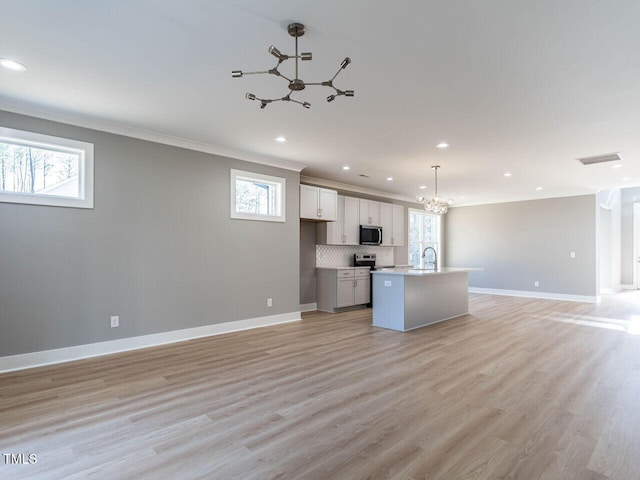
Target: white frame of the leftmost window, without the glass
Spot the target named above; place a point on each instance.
(60, 144)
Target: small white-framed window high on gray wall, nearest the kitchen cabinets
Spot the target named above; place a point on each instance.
(257, 197)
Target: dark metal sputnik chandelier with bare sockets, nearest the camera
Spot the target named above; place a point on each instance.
(296, 30)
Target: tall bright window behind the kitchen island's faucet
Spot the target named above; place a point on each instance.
(424, 231)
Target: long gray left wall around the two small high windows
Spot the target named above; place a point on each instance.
(158, 249)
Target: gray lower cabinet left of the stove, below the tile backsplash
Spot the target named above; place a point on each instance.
(342, 287)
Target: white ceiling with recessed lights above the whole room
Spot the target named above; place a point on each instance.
(518, 86)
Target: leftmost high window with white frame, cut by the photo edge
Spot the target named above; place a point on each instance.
(44, 170)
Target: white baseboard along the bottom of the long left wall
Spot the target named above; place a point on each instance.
(60, 355)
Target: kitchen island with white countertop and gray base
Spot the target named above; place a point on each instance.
(408, 298)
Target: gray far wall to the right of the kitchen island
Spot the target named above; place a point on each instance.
(520, 242)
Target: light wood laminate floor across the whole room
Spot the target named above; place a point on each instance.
(518, 389)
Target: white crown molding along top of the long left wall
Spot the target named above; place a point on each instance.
(148, 135)
